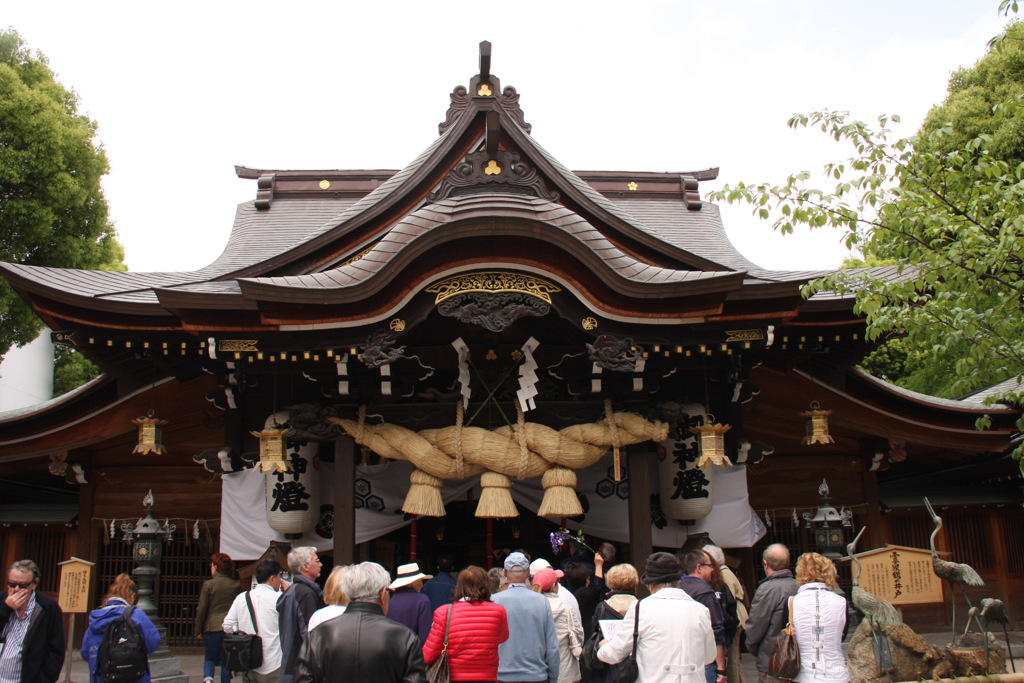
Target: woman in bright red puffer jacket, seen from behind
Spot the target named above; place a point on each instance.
(478, 628)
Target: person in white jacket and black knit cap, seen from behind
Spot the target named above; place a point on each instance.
(675, 639)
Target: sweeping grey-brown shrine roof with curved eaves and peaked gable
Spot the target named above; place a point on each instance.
(319, 238)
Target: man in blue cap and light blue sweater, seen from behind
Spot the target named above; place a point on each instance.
(531, 654)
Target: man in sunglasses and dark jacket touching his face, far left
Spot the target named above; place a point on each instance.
(31, 629)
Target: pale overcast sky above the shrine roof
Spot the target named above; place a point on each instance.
(184, 92)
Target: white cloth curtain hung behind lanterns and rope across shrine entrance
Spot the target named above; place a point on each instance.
(380, 491)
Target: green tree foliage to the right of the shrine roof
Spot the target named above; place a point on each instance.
(953, 222)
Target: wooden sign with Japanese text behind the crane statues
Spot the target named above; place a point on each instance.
(902, 576)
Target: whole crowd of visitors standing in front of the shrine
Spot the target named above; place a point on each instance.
(522, 623)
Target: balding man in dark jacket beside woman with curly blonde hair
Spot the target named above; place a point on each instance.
(770, 609)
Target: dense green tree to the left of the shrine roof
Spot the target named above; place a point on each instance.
(53, 212)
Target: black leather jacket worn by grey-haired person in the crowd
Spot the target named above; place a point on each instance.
(362, 646)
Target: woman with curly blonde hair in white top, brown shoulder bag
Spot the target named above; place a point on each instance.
(820, 622)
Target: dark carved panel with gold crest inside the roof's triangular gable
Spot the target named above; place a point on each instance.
(502, 172)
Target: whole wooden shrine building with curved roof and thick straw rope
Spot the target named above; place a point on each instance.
(471, 353)
